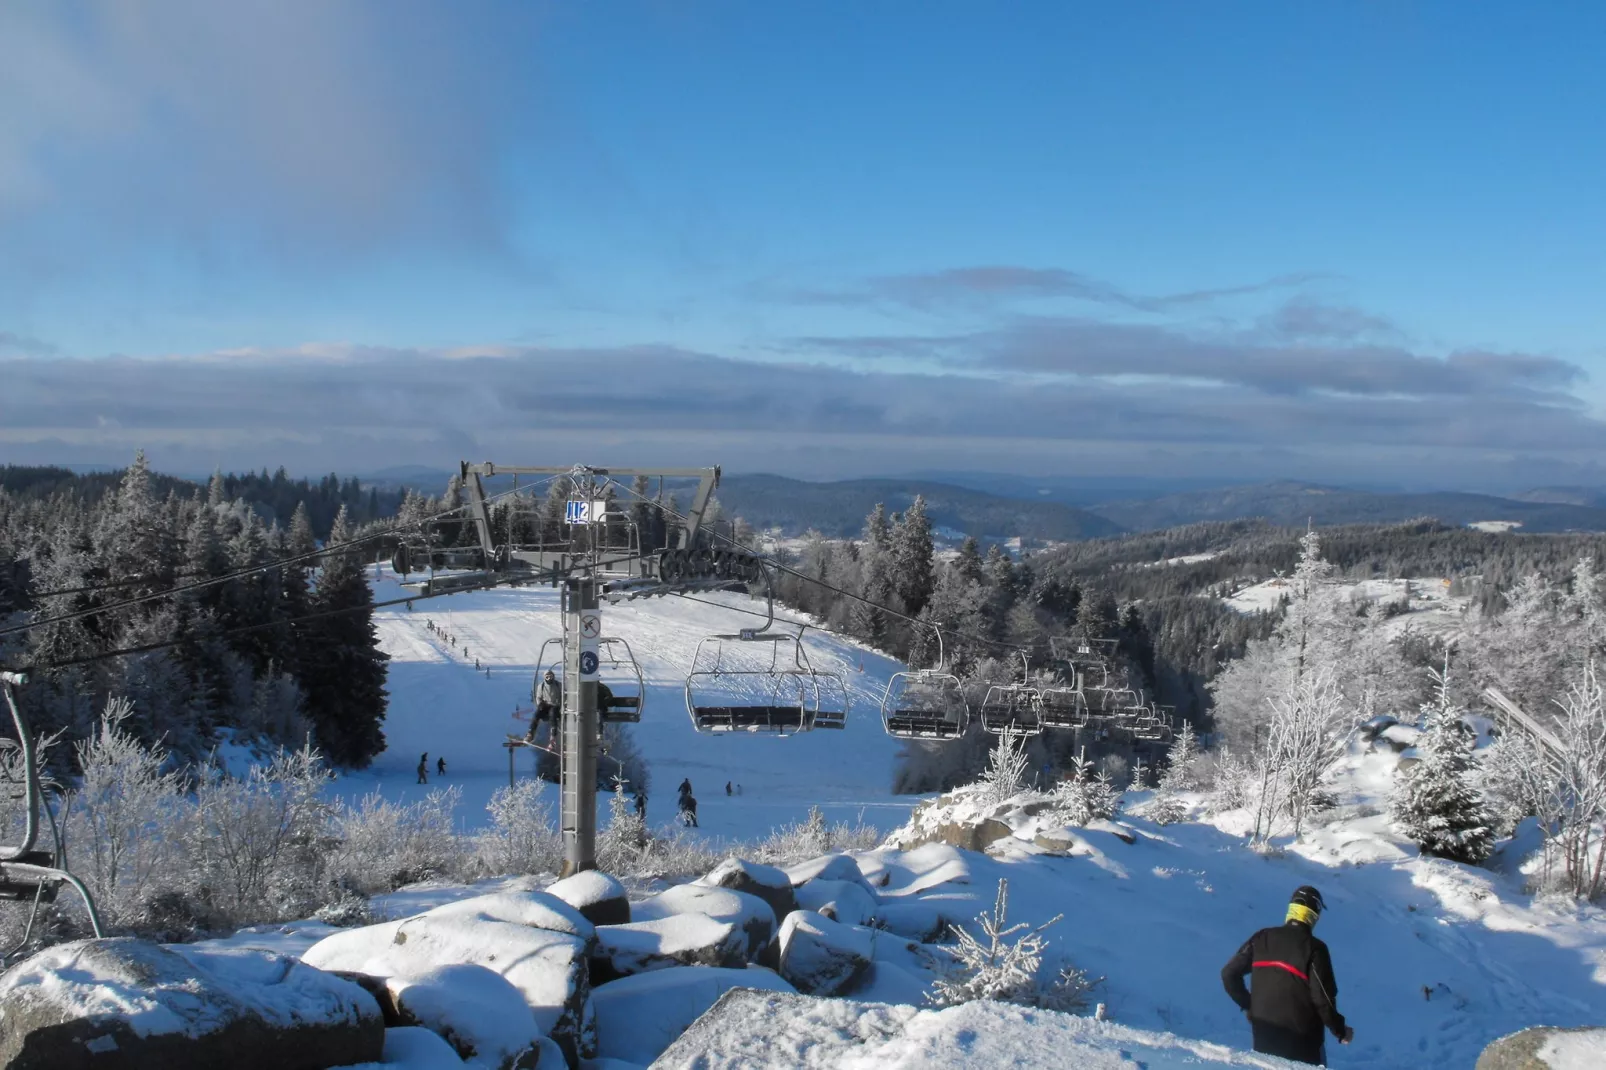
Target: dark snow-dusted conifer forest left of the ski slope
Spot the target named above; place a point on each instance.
(272, 653)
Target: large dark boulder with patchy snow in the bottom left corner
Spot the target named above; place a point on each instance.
(129, 1005)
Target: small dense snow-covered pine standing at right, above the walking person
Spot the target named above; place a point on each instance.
(1437, 804)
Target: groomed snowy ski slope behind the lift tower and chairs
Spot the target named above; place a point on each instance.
(444, 706)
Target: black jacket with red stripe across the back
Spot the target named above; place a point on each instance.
(1294, 989)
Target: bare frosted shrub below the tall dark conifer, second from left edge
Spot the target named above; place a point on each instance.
(258, 844)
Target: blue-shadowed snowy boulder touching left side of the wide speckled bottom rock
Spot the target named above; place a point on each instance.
(642, 1016)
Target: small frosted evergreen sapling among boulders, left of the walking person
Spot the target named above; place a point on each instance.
(1005, 963)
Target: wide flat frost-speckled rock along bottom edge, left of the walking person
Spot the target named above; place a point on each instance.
(749, 1029)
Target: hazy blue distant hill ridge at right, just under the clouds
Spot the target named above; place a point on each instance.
(1294, 504)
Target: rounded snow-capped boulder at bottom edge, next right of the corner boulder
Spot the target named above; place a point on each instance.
(475, 1010)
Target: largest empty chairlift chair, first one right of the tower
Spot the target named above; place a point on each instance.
(788, 696)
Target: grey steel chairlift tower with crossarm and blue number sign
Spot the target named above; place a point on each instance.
(590, 568)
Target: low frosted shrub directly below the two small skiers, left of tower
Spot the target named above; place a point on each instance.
(383, 846)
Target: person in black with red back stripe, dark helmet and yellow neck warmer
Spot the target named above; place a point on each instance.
(1294, 992)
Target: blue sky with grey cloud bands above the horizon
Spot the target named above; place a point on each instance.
(1361, 243)
